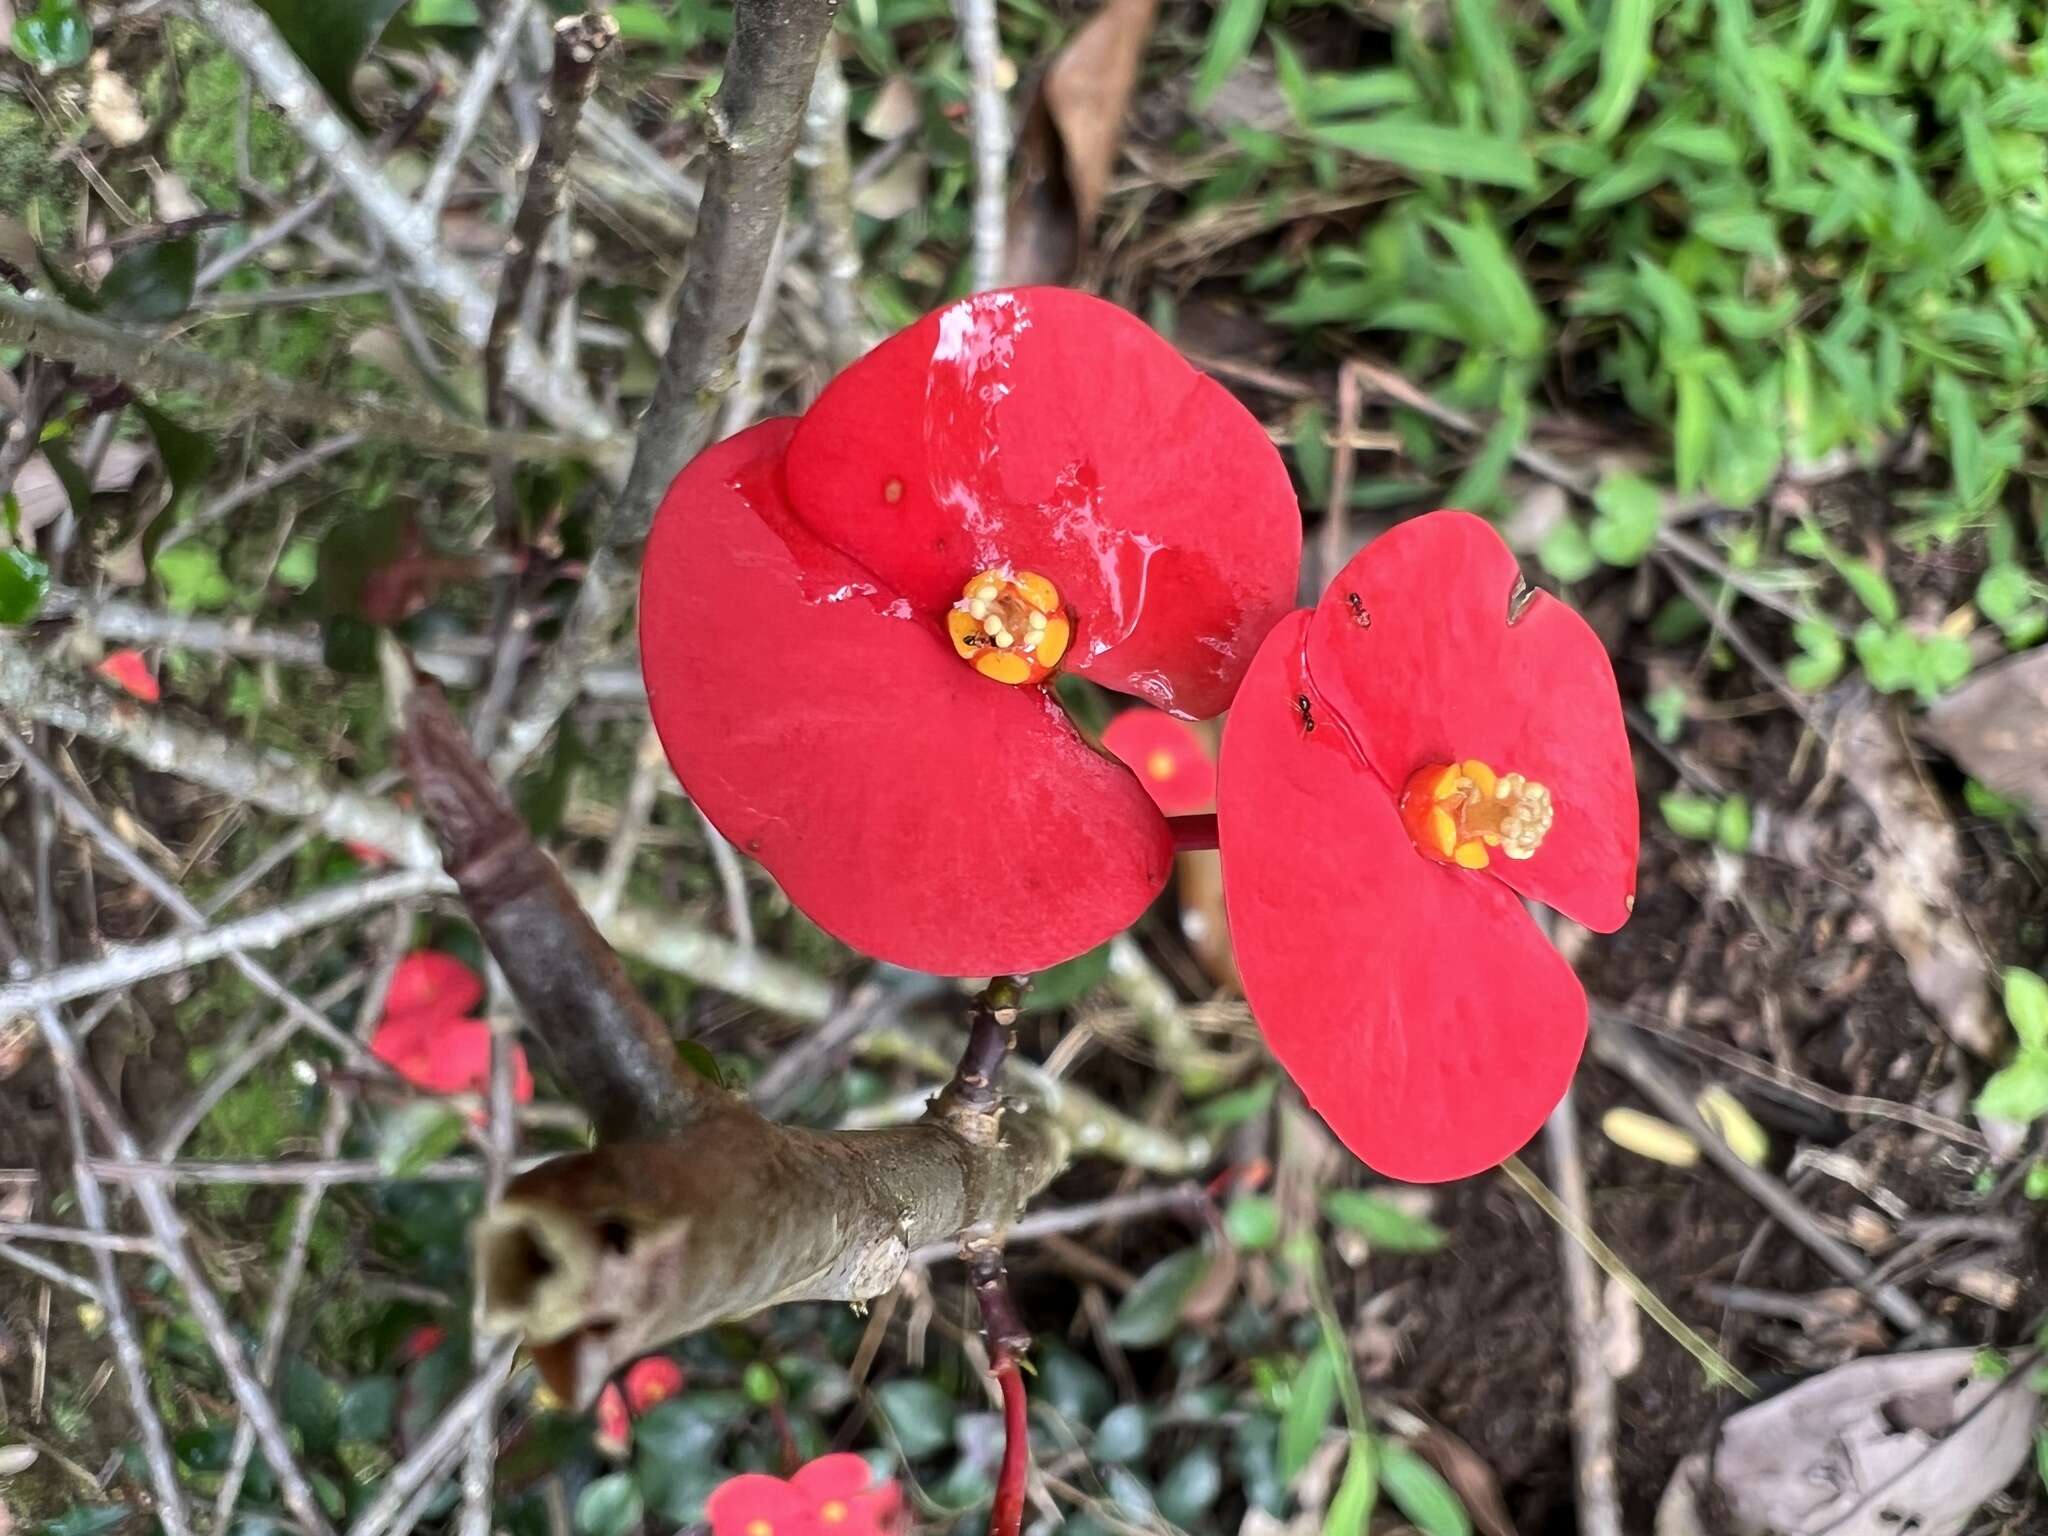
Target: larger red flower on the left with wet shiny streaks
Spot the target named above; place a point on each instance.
(849, 620)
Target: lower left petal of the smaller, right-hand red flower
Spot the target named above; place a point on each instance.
(1418, 1009)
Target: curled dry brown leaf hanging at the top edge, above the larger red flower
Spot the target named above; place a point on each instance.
(1072, 134)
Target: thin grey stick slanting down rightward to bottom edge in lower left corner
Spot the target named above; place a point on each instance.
(175, 1254)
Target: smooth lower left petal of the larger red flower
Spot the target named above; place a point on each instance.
(912, 808)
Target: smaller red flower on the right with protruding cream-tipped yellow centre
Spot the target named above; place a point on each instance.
(1402, 769)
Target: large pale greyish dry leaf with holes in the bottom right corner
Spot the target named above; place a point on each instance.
(1873, 1449)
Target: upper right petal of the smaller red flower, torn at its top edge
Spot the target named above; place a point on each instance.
(1422, 650)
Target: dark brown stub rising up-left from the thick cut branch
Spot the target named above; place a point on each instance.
(609, 1046)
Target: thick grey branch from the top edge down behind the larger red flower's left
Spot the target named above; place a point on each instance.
(753, 128)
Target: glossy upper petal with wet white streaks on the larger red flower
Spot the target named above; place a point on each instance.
(1048, 431)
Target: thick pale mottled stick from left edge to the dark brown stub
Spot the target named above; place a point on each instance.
(265, 779)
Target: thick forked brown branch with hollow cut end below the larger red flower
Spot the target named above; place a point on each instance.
(695, 1207)
